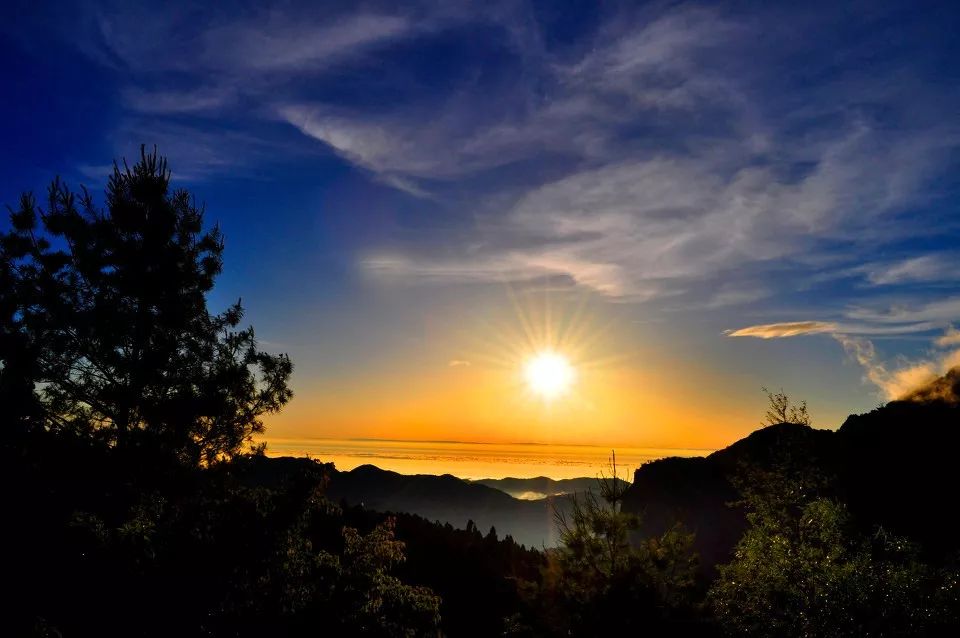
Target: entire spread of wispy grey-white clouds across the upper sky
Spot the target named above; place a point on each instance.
(658, 153)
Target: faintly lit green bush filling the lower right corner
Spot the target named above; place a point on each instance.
(804, 569)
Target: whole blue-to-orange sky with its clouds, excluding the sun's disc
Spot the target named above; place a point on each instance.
(689, 201)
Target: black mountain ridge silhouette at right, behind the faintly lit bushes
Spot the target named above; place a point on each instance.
(894, 467)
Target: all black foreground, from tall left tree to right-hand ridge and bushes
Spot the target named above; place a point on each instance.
(137, 503)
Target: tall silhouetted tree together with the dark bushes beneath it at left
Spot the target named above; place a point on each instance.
(128, 407)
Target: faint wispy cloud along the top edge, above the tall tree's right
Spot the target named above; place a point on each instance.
(219, 40)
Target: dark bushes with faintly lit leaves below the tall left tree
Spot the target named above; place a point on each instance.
(242, 560)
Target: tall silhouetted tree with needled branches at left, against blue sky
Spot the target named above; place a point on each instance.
(106, 330)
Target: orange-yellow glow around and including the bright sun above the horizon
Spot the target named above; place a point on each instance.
(539, 375)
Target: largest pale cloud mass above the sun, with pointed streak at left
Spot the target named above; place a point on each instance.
(641, 216)
